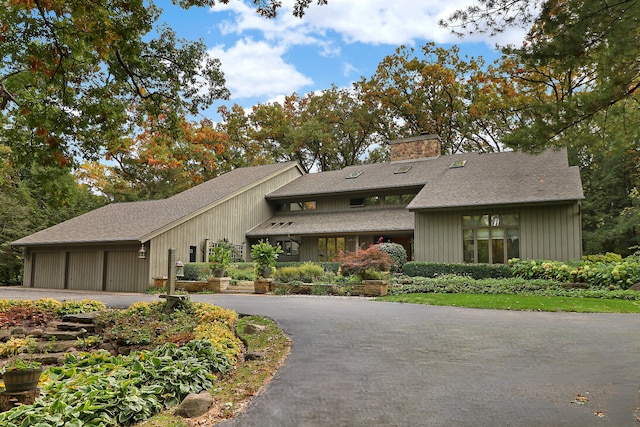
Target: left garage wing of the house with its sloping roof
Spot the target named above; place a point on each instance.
(101, 250)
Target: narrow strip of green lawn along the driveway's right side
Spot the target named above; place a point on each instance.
(520, 302)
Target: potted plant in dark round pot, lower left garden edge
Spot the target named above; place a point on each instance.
(20, 374)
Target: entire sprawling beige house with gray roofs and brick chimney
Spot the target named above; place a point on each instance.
(468, 207)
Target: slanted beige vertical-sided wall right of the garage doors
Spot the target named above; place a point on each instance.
(230, 219)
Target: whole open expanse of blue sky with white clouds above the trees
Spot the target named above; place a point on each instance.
(259, 65)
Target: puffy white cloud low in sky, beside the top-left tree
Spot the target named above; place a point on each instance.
(257, 69)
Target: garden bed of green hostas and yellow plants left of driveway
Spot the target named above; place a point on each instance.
(194, 345)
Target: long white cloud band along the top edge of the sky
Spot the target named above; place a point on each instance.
(371, 22)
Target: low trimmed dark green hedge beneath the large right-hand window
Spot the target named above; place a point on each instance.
(475, 271)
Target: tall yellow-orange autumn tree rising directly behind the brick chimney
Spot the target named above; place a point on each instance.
(437, 92)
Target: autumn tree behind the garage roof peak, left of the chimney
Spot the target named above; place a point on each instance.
(321, 131)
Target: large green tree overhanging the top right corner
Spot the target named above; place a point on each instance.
(583, 54)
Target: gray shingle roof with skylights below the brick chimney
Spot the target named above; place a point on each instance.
(489, 178)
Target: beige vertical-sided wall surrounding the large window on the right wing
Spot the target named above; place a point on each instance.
(551, 232)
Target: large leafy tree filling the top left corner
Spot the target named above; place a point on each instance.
(71, 70)
